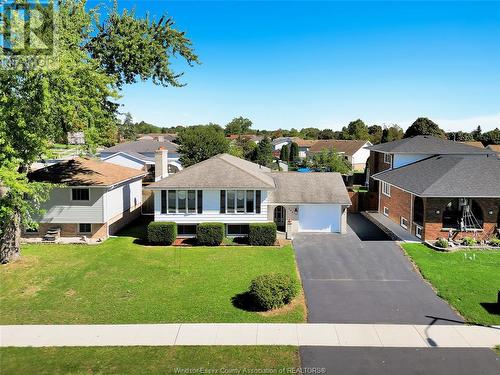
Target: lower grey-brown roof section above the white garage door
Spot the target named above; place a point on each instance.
(314, 187)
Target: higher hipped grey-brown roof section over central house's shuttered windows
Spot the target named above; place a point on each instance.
(222, 171)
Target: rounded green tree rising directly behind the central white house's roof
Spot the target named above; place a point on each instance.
(201, 142)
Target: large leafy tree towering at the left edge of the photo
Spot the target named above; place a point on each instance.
(75, 91)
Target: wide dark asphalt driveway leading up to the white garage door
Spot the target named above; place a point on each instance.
(363, 277)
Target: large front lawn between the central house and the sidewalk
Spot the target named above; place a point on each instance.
(120, 281)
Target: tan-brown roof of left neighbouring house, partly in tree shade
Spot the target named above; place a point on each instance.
(85, 172)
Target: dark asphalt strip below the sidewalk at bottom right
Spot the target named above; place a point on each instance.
(401, 361)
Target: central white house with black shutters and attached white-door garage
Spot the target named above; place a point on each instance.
(237, 192)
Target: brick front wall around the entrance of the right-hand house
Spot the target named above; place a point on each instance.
(433, 221)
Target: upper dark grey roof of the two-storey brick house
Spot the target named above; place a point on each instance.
(427, 145)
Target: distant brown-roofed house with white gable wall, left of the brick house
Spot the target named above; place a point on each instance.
(355, 151)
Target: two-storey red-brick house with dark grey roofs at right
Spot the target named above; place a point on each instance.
(437, 188)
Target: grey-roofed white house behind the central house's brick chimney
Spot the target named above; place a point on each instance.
(141, 155)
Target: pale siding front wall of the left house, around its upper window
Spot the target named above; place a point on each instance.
(61, 209)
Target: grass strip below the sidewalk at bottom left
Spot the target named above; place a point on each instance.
(144, 360)
